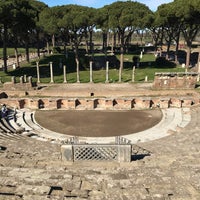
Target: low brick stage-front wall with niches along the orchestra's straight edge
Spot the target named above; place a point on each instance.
(101, 103)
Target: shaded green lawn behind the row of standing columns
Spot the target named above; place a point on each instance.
(147, 67)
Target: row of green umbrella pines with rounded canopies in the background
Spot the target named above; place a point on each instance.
(26, 22)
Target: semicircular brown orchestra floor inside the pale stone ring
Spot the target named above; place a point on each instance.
(98, 123)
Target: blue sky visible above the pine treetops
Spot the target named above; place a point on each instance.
(152, 4)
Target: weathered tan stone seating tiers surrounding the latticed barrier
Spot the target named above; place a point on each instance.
(32, 169)
